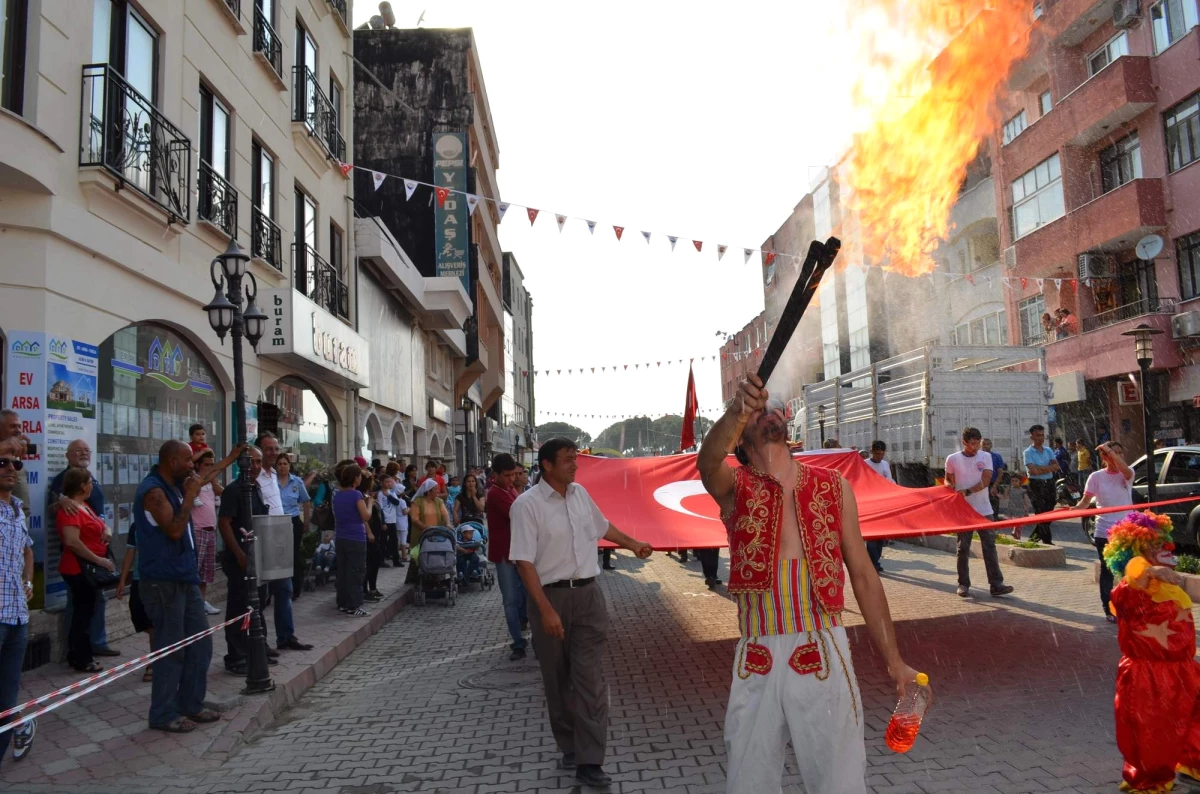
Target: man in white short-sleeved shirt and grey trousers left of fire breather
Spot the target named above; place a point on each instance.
(556, 528)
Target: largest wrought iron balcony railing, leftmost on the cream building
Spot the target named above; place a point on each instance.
(124, 134)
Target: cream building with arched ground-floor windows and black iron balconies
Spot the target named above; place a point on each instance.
(137, 141)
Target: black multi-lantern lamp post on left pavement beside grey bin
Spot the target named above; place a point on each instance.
(226, 315)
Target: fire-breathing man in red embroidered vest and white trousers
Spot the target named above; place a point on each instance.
(791, 528)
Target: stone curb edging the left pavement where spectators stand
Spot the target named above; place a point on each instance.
(260, 712)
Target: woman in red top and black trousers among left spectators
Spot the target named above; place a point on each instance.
(85, 540)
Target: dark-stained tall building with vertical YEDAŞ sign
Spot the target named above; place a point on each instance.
(423, 115)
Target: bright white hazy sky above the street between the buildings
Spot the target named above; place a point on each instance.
(659, 117)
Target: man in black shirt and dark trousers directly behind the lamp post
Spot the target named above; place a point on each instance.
(235, 561)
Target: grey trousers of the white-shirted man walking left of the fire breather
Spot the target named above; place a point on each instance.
(573, 671)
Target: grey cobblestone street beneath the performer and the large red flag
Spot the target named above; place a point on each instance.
(431, 705)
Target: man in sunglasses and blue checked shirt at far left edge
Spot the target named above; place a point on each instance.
(16, 591)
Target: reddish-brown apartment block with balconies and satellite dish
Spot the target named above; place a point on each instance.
(1099, 152)
